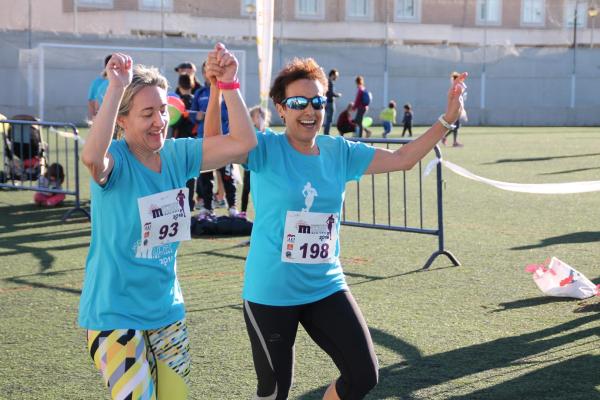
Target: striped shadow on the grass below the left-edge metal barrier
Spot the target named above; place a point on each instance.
(29, 216)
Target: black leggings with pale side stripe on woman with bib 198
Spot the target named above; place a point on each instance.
(335, 323)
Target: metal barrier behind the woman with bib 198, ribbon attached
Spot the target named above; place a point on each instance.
(405, 226)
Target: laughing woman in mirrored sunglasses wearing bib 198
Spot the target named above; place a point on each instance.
(293, 273)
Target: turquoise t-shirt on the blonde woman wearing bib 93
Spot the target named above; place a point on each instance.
(125, 288)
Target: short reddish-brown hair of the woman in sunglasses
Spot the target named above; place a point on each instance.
(298, 68)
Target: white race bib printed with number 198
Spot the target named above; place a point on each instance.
(309, 237)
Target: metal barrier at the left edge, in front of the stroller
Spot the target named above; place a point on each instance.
(30, 152)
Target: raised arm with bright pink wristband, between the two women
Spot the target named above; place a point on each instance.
(232, 148)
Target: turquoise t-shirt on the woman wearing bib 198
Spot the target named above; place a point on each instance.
(279, 176)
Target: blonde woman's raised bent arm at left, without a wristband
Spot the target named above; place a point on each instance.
(95, 155)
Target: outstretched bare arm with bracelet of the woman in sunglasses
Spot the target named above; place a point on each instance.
(411, 153)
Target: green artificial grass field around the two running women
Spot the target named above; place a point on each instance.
(478, 331)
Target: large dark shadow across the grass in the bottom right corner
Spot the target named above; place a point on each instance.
(534, 356)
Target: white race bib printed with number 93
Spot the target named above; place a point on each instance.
(165, 217)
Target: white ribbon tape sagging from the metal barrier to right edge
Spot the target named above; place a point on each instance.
(539, 188)
